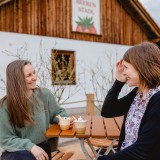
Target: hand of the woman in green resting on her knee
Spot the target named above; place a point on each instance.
(39, 153)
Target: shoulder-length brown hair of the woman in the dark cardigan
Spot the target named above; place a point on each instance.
(145, 58)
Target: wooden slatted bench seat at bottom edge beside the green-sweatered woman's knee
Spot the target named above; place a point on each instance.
(61, 155)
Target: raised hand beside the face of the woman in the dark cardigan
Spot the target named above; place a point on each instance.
(119, 71)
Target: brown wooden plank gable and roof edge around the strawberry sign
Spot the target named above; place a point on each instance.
(122, 21)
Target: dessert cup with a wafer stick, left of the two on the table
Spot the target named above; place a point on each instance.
(64, 122)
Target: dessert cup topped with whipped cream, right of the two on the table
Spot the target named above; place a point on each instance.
(80, 125)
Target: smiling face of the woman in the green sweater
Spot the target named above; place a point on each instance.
(30, 77)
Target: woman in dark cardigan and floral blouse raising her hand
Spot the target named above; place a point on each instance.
(140, 134)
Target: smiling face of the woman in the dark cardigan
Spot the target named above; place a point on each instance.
(131, 75)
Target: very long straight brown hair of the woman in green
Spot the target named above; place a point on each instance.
(17, 101)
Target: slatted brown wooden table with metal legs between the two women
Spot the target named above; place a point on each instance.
(97, 127)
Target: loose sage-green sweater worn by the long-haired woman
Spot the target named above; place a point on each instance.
(13, 138)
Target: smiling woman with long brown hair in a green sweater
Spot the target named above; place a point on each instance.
(25, 114)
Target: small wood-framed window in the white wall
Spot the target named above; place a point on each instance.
(63, 67)
